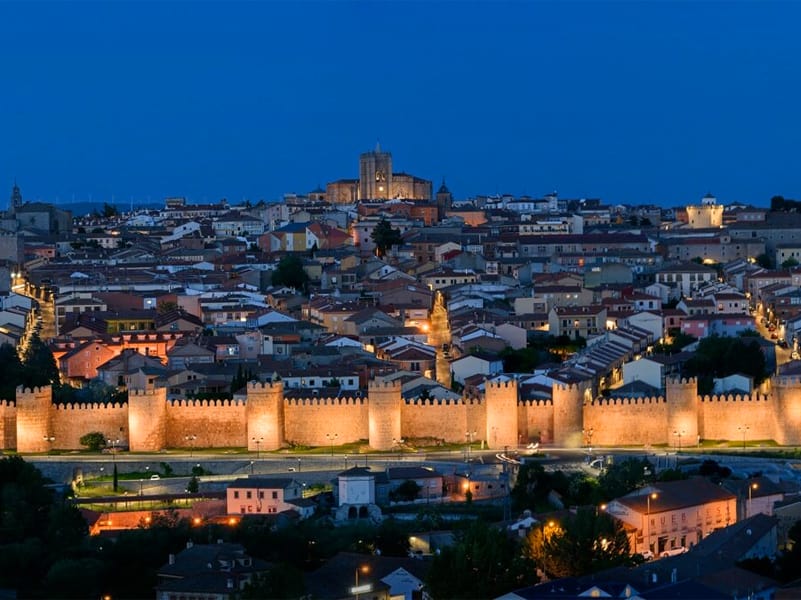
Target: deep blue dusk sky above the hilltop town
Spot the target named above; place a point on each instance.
(632, 102)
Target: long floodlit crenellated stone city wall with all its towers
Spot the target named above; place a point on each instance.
(267, 420)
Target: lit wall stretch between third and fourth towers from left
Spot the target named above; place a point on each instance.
(308, 421)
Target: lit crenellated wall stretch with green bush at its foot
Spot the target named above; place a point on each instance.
(69, 422)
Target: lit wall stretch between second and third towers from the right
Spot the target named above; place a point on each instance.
(626, 421)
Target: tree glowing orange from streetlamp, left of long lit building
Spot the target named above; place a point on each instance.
(585, 542)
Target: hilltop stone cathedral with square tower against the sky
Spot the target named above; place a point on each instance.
(377, 181)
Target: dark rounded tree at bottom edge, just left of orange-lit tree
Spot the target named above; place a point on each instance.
(483, 563)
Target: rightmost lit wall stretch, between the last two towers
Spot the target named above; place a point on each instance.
(728, 417)
